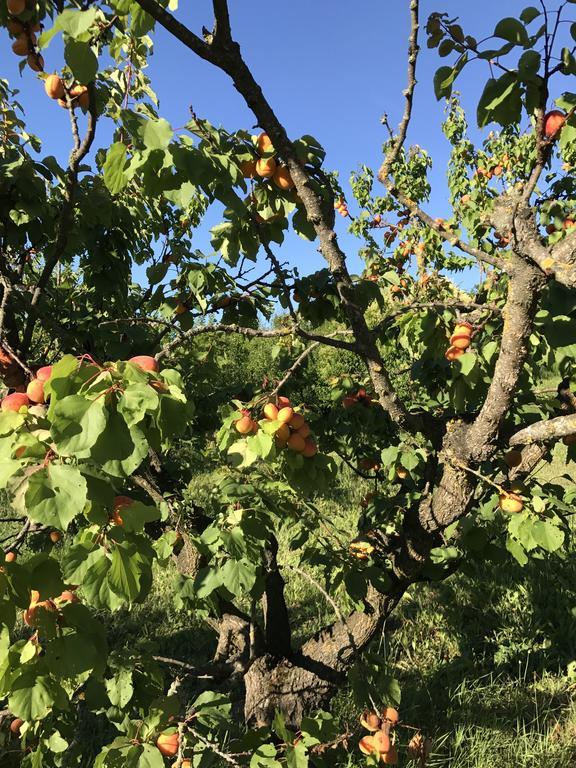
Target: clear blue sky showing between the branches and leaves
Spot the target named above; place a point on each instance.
(330, 69)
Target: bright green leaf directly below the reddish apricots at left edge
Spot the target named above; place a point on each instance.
(77, 424)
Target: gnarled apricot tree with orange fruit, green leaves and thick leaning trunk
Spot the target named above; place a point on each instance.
(448, 417)
